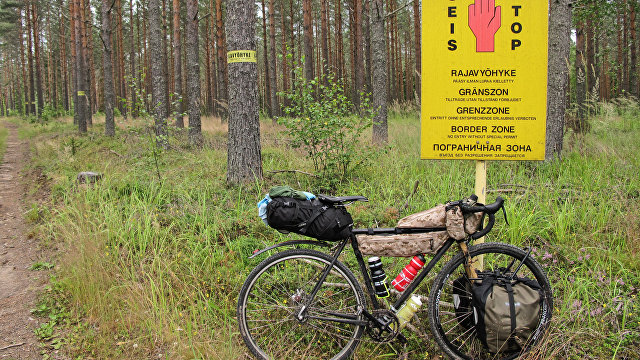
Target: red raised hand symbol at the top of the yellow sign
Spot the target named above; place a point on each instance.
(484, 21)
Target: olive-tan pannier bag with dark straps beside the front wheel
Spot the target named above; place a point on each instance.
(506, 312)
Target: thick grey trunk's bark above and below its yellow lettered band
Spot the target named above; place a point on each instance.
(244, 162)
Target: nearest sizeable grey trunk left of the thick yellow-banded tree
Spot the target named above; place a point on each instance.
(193, 73)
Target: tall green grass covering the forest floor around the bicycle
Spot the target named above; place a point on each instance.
(151, 267)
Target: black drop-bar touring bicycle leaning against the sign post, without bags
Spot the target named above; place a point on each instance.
(304, 303)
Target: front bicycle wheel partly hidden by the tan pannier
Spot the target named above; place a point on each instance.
(451, 329)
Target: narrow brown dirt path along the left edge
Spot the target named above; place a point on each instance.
(18, 284)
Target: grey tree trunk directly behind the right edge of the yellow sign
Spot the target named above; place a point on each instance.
(559, 48)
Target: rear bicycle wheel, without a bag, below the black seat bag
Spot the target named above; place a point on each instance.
(271, 297)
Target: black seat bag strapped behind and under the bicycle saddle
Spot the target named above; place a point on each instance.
(311, 218)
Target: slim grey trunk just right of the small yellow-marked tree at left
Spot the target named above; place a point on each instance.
(109, 96)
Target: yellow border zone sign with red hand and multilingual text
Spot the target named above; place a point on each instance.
(484, 83)
